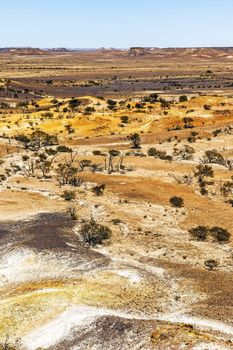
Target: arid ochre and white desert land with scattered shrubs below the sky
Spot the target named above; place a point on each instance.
(116, 199)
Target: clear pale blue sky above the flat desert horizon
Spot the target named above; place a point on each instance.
(116, 23)
